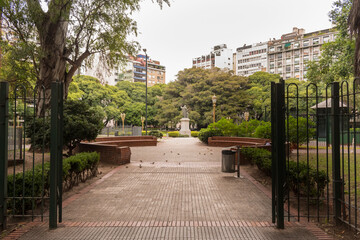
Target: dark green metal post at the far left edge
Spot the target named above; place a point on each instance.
(4, 118)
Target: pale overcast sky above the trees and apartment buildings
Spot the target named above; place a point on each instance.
(190, 28)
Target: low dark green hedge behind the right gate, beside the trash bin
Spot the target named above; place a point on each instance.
(299, 175)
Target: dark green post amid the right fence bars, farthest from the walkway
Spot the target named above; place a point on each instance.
(335, 138)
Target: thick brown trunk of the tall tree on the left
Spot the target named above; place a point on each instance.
(52, 63)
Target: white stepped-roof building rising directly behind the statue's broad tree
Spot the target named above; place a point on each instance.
(220, 57)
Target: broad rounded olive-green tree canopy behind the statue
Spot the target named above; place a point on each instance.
(194, 88)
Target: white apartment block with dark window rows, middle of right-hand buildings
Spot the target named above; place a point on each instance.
(251, 59)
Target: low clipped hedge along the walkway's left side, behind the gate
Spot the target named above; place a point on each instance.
(76, 168)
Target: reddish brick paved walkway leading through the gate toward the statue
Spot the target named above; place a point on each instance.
(172, 191)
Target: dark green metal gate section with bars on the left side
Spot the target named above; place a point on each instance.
(30, 179)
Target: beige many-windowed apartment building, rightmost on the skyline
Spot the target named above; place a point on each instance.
(289, 55)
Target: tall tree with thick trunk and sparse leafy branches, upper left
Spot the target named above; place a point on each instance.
(63, 34)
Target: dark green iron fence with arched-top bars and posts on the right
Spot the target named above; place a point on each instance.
(319, 180)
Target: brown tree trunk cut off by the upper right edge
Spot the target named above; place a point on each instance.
(354, 27)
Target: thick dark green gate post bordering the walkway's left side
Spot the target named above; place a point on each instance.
(54, 155)
